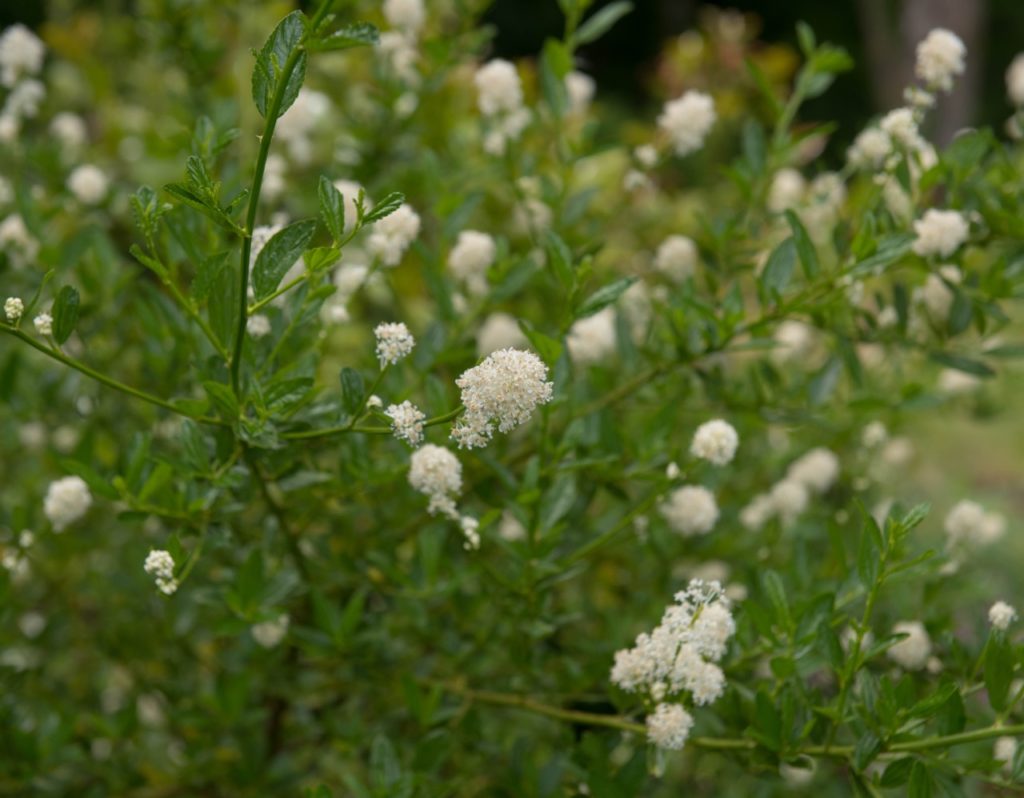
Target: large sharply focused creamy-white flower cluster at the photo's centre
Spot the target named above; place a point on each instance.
(502, 392)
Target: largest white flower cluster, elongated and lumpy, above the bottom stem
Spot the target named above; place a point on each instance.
(679, 657)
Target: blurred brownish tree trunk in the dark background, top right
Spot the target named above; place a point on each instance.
(891, 35)
